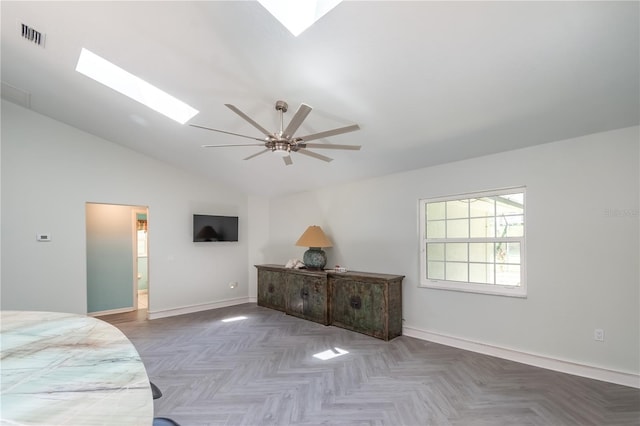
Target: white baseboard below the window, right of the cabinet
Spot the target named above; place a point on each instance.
(597, 373)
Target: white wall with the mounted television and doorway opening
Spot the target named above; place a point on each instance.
(49, 172)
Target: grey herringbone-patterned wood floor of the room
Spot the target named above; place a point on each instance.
(261, 371)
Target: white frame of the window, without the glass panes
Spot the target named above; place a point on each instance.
(466, 286)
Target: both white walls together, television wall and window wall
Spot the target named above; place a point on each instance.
(582, 235)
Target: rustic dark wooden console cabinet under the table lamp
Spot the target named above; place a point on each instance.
(359, 301)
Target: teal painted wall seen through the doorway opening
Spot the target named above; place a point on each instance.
(109, 257)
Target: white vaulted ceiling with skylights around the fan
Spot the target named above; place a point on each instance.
(428, 82)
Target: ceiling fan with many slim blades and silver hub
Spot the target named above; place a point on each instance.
(284, 141)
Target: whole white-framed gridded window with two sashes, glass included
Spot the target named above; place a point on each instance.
(474, 242)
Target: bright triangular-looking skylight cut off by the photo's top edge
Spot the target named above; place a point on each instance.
(298, 15)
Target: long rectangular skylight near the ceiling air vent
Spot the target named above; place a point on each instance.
(116, 78)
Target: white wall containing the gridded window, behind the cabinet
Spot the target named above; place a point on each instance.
(582, 256)
